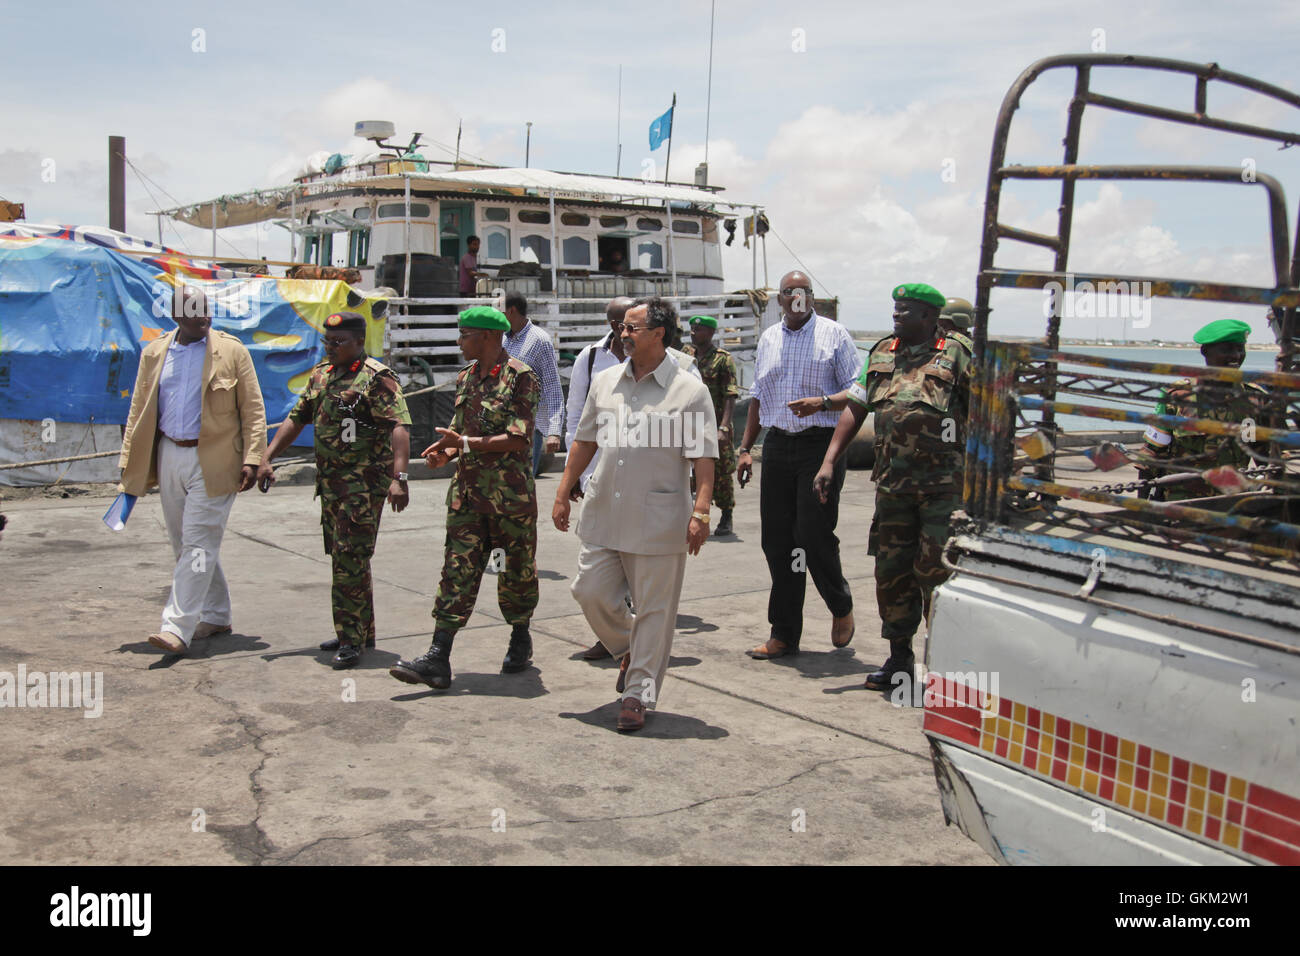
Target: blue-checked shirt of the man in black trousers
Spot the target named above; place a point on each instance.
(820, 360)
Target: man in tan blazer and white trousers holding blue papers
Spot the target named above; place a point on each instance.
(198, 431)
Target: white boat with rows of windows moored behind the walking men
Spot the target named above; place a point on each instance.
(401, 209)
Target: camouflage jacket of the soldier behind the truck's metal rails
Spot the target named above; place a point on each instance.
(1195, 451)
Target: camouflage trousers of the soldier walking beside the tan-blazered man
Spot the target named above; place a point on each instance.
(352, 525)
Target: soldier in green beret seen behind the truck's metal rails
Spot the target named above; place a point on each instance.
(1182, 451)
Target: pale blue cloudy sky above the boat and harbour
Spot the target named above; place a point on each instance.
(863, 128)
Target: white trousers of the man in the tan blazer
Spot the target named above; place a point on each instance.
(196, 525)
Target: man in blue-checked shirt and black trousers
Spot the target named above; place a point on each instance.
(805, 354)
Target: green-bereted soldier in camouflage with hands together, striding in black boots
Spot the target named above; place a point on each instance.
(492, 505)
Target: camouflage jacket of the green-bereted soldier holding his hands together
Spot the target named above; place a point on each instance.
(502, 404)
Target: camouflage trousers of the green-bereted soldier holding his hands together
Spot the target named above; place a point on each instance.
(478, 543)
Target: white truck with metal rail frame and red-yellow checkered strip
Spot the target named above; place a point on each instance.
(1113, 680)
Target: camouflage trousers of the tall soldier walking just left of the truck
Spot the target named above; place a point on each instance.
(908, 537)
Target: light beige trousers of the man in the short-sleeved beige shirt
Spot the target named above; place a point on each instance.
(604, 579)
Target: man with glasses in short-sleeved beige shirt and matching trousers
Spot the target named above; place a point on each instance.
(652, 422)
